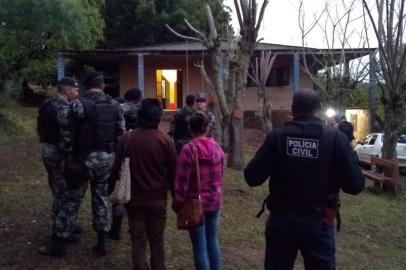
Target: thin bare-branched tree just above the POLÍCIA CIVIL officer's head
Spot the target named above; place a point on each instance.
(338, 69)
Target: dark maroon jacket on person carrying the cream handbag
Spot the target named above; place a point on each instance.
(152, 164)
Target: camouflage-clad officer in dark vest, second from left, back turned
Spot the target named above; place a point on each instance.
(97, 121)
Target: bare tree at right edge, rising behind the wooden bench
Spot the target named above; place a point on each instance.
(388, 21)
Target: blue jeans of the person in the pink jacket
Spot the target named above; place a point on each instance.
(206, 248)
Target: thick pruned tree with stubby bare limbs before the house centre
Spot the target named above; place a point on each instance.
(230, 70)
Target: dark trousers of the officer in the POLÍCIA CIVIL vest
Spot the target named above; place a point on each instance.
(287, 233)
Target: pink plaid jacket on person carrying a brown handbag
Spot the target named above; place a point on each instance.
(211, 162)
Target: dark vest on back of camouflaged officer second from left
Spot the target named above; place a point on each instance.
(97, 130)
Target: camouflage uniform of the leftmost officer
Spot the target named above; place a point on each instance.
(54, 154)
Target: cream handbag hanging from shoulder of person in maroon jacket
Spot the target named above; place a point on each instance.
(122, 188)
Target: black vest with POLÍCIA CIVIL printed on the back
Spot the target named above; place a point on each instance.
(304, 181)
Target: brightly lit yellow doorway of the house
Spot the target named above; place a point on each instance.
(169, 88)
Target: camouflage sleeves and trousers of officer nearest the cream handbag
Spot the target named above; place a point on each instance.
(98, 163)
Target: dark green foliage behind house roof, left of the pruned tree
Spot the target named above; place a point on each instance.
(132, 23)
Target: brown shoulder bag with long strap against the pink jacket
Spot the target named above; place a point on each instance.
(190, 214)
